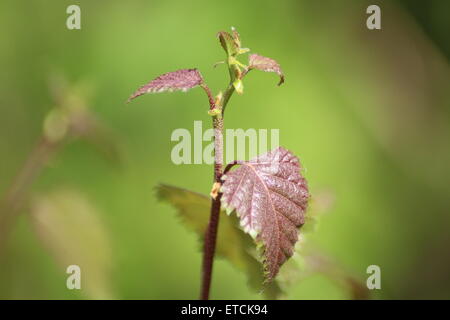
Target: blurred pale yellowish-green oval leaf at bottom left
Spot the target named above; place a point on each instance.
(70, 229)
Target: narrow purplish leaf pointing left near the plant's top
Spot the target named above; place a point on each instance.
(183, 80)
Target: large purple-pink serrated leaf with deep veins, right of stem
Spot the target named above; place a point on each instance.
(270, 197)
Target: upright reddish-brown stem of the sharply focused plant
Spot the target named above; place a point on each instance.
(211, 232)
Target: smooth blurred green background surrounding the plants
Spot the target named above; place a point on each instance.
(368, 112)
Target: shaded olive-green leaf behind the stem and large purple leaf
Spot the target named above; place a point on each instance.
(232, 244)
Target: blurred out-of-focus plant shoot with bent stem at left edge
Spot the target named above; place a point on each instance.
(70, 119)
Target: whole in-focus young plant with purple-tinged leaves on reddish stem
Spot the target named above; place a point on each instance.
(268, 194)
